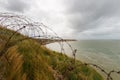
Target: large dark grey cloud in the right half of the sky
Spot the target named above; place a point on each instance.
(88, 14)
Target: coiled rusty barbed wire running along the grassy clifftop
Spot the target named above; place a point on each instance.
(39, 32)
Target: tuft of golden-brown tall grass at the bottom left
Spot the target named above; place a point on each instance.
(11, 66)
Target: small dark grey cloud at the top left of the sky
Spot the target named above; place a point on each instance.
(17, 5)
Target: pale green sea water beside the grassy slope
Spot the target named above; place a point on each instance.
(105, 53)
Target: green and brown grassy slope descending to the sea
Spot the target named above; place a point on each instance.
(28, 60)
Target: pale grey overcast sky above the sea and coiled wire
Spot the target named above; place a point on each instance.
(79, 19)
